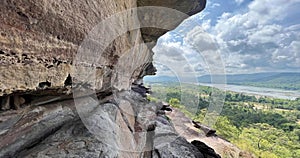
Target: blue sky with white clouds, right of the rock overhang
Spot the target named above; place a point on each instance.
(239, 36)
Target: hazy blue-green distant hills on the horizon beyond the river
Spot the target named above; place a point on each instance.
(280, 80)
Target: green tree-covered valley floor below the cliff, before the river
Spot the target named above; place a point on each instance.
(266, 127)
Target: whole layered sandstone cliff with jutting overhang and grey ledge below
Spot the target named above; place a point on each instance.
(38, 118)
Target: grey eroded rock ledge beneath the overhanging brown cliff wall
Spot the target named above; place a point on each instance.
(130, 128)
